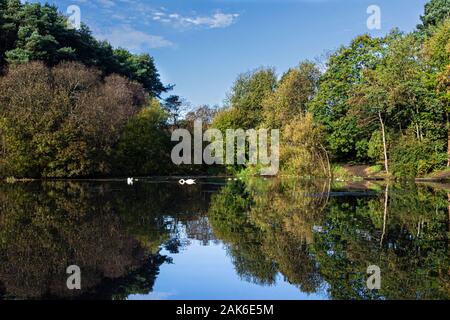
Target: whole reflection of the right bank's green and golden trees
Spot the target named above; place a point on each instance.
(312, 237)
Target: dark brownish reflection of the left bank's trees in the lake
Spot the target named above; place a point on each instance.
(112, 232)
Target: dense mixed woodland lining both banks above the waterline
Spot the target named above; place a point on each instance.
(72, 106)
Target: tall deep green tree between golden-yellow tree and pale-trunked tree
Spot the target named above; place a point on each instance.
(347, 140)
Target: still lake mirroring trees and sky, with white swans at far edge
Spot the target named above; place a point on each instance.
(224, 239)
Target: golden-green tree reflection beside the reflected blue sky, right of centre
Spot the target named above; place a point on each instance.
(265, 224)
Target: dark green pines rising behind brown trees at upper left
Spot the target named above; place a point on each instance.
(32, 31)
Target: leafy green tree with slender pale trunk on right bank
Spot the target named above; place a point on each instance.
(394, 94)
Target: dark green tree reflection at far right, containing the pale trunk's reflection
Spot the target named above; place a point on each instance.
(406, 236)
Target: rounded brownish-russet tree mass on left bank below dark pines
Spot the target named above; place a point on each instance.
(62, 121)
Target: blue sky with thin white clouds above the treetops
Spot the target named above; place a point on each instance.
(202, 45)
